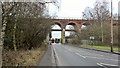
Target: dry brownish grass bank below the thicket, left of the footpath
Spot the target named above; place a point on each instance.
(22, 57)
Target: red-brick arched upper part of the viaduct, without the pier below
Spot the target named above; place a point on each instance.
(77, 23)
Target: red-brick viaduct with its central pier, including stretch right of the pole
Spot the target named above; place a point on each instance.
(77, 23)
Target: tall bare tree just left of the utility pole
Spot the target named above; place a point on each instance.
(100, 16)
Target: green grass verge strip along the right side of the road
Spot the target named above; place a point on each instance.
(108, 48)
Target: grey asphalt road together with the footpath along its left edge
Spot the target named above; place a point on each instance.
(64, 55)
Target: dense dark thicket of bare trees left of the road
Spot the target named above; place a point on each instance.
(24, 21)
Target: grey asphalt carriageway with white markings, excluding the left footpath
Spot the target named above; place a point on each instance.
(74, 56)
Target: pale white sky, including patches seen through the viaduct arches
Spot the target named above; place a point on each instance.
(73, 9)
